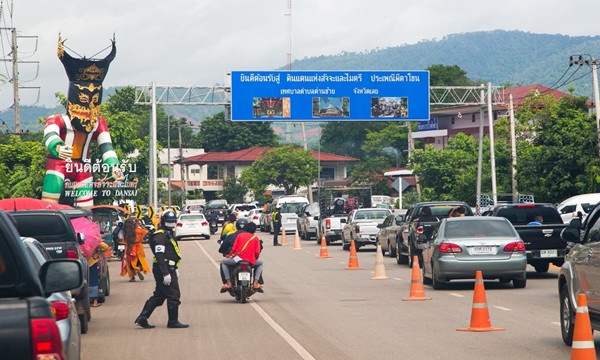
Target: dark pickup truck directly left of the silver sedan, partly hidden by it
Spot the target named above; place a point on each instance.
(418, 225)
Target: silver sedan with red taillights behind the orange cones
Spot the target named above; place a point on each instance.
(461, 246)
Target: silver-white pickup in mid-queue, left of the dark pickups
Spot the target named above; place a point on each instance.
(362, 227)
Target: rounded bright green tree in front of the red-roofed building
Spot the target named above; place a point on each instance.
(285, 167)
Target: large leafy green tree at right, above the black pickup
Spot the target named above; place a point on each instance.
(557, 154)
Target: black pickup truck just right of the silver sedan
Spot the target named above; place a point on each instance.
(543, 244)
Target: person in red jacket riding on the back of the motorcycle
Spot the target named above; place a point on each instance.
(246, 247)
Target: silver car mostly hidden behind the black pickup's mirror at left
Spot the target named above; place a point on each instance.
(62, 304)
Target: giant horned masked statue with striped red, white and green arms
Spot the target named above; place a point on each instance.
(68, 137)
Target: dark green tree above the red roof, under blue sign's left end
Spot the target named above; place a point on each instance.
(216, 134)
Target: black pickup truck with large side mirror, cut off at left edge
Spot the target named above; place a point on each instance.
(28, 329)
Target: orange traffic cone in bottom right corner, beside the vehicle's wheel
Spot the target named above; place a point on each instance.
(583, 341)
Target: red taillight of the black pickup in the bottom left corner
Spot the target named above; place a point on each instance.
(45, 340)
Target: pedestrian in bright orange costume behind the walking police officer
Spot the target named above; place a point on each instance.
(134, 263)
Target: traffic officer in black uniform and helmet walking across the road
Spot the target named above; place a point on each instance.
(165, 264)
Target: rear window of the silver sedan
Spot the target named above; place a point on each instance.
(479, 228)
